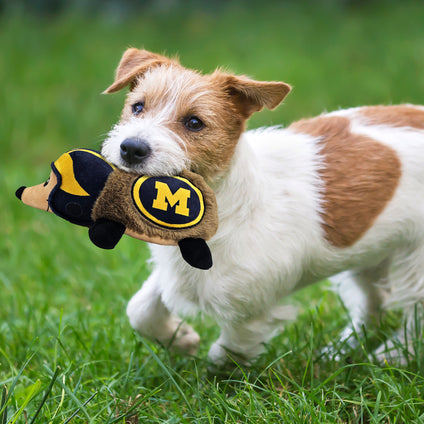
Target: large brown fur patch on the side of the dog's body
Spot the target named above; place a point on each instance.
(360, 177)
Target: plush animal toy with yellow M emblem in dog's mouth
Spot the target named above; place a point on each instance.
(86, 190)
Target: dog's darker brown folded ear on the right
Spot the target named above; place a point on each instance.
(251, 96)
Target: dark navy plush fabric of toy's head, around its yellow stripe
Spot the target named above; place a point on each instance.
(90, 172)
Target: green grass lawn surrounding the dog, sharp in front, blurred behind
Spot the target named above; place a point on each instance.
(67, 353)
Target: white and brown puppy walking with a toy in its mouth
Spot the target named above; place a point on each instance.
(337, 195)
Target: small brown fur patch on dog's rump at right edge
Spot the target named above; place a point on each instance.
(395, 116)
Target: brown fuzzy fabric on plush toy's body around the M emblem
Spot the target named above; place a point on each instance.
(115, 203)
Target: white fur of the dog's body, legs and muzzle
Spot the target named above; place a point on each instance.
(270, 241)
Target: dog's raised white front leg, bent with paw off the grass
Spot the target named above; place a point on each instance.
(151, 318)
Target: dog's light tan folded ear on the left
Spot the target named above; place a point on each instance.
(135, 62)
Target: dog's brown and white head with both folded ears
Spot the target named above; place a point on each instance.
(175, 118)
